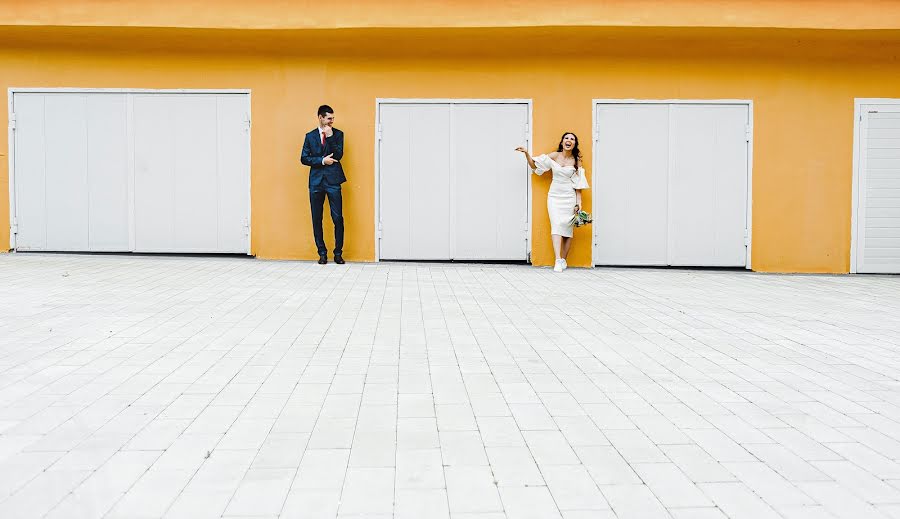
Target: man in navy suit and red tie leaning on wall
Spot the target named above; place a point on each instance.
(323, 149)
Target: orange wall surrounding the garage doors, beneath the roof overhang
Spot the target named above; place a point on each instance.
(802, 111)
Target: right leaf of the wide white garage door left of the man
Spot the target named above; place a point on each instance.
(191, 173)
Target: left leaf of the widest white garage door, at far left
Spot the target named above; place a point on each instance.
(71, 178)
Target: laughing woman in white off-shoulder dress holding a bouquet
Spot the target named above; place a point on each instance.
(564, 197)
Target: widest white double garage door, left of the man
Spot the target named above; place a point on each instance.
(144, 172)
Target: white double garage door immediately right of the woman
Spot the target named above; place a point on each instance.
(671, 184)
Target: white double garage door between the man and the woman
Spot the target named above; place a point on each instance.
(451, 186)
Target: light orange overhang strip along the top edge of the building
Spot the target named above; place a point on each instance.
(310, 14)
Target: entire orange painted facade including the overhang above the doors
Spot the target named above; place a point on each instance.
(801, 67)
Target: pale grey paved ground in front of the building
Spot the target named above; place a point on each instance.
(194, 387)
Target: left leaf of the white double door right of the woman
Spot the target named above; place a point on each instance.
(630, 184)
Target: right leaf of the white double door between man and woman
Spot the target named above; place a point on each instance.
(489, 195)
